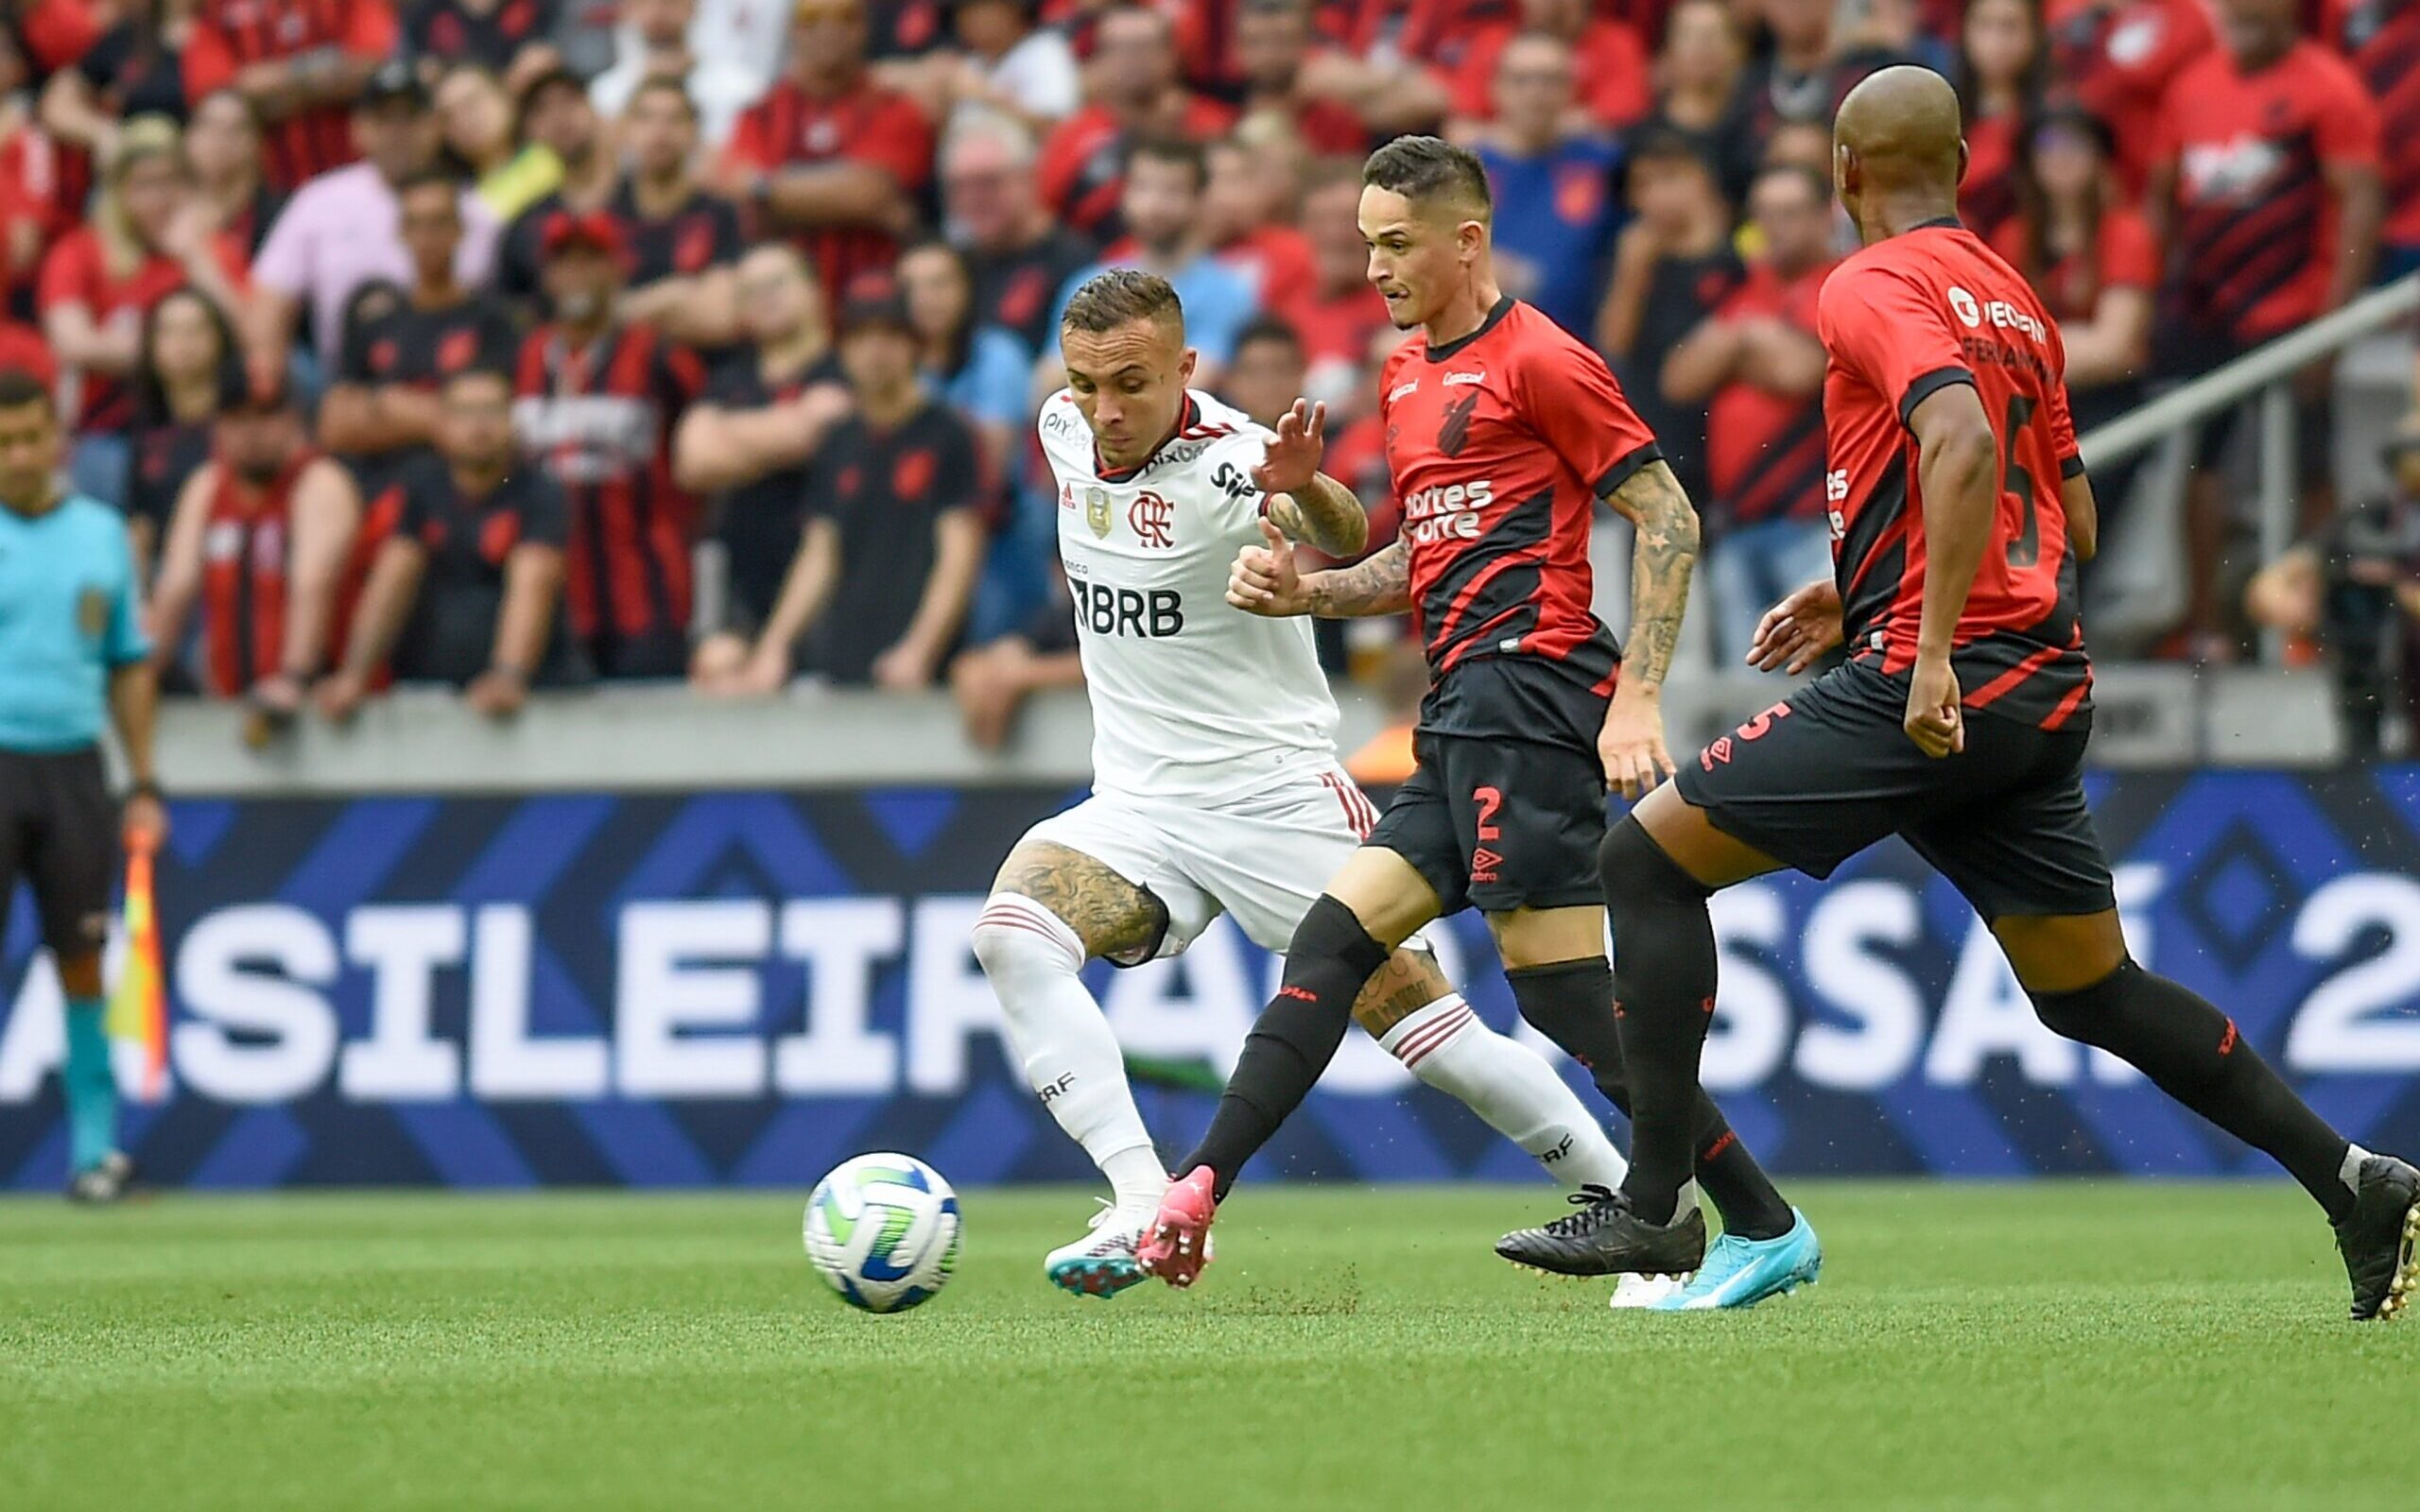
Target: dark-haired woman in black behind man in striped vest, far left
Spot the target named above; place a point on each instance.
(188, 371)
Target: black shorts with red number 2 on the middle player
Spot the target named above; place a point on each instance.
(1499, 824)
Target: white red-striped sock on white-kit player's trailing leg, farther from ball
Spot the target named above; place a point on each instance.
(1509, 1087)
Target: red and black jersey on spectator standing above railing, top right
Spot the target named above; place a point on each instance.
(2254, 221)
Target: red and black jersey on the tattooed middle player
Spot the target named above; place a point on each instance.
(1499, 446)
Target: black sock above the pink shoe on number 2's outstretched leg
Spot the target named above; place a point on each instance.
(1293, 1039)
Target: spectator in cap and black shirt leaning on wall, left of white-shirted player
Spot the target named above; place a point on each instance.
(894, 541)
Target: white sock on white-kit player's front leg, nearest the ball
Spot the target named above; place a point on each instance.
(1064, 1041)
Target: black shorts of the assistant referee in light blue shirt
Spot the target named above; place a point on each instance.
(59, 831)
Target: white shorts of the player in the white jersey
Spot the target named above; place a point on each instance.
(1262, 860)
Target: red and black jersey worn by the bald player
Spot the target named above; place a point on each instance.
(1903, 321)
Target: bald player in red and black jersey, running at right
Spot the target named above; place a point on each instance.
(1959, 720)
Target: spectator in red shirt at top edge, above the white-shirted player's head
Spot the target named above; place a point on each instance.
(1136, 93)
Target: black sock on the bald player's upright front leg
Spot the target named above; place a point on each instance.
(1664, 996)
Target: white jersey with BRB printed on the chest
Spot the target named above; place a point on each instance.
(1192, 698)
